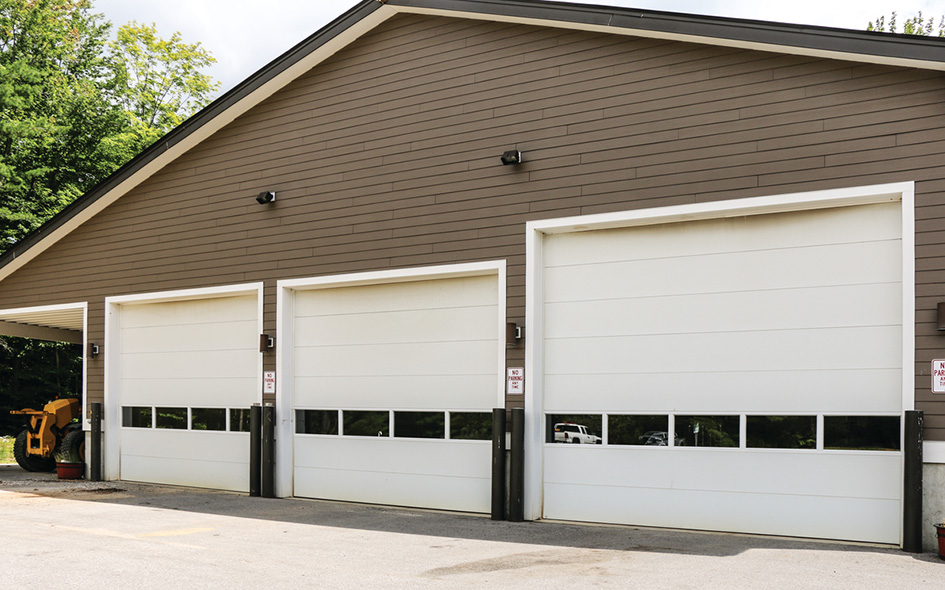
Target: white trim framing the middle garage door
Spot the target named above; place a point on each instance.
(285, 304)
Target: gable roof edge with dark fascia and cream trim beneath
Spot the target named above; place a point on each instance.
(824, 42)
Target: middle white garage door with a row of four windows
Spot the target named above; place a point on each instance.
(393, 388)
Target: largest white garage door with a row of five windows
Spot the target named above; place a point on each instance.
(770, 346)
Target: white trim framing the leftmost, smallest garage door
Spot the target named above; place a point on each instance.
(111, 421)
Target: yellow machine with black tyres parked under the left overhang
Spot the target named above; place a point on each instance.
(51, 433)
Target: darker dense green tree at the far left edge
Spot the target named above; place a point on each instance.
(52, 111)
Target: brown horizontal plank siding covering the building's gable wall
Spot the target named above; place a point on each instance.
(387, 155)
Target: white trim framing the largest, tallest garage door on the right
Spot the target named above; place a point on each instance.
(904, 192)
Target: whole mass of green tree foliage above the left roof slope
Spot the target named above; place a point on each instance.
(74, 105)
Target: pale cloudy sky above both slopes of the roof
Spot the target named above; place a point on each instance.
(245, 35)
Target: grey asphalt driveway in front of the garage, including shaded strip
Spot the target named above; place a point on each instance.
(61, 534)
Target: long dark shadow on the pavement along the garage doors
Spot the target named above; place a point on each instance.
(415, 521)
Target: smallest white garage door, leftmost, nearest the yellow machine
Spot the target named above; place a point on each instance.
(189, 373)
